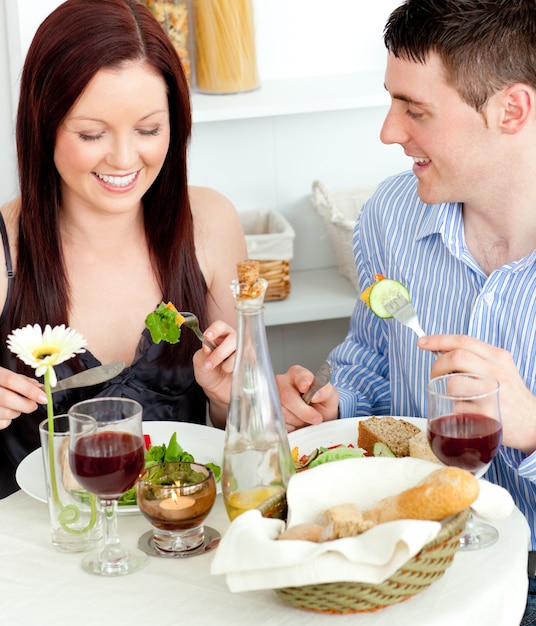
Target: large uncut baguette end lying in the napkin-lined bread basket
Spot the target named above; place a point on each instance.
(446, 491)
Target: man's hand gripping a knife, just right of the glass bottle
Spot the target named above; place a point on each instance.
(296, 413)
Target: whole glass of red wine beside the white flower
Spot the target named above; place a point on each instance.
(107, 454)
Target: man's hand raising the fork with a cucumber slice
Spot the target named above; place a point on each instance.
(461, 353)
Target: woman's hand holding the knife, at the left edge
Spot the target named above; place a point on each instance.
(18, 394)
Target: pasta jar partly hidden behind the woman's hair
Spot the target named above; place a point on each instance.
(173, 16)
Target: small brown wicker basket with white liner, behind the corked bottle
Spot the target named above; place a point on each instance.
(270, 240)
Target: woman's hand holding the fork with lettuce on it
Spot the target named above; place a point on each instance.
(213, 369)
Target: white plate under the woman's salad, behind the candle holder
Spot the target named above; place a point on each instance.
(203, 442)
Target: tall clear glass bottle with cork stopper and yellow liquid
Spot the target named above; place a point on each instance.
(257, 462)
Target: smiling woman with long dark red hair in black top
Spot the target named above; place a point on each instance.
(106, 226)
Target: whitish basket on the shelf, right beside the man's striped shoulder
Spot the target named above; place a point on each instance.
(339, 208)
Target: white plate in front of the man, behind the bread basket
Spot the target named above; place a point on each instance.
(332, 433)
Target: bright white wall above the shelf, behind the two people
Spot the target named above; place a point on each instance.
(294, 37)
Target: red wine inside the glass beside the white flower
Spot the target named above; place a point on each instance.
(108, 463)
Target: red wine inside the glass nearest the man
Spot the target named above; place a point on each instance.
(465, 440)
